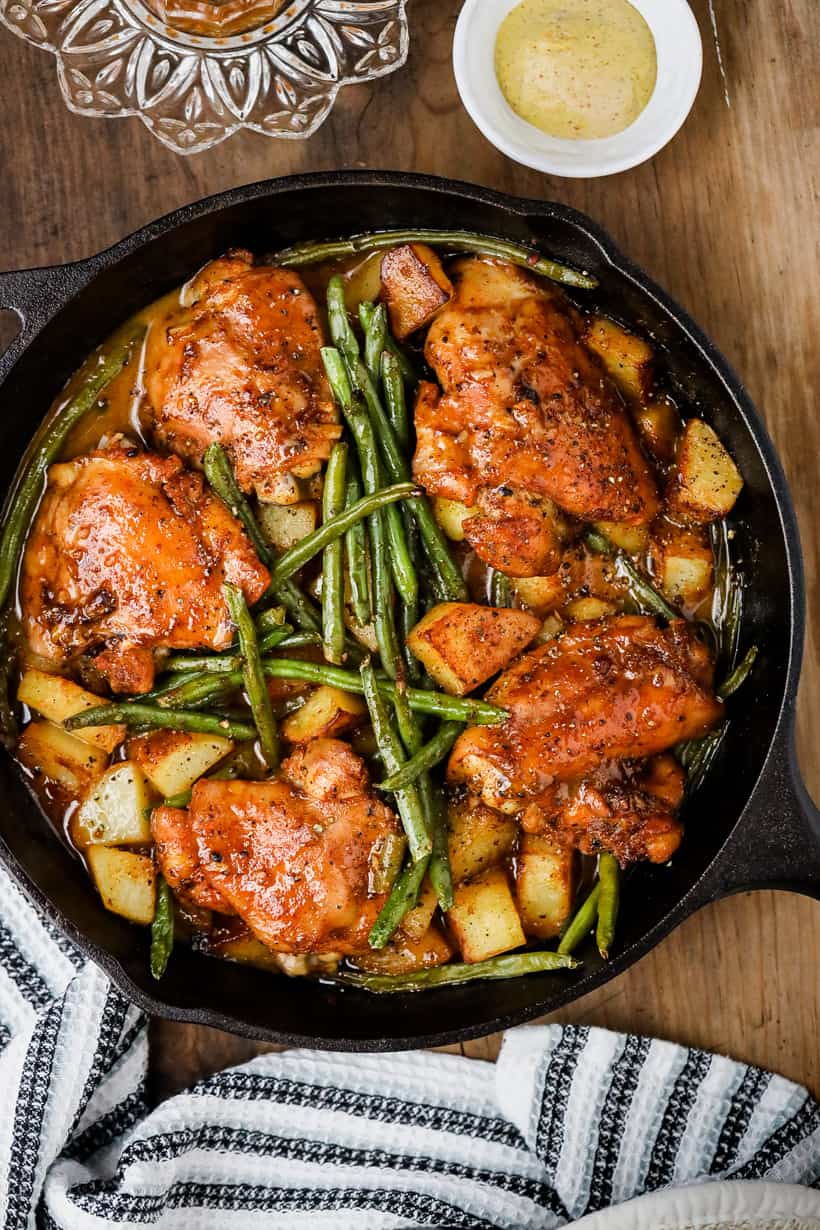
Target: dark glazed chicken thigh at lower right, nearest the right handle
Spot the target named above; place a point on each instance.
(604, 692)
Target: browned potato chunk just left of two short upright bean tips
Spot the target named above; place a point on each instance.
(544, 886)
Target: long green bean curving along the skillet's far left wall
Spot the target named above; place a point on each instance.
(30, 489)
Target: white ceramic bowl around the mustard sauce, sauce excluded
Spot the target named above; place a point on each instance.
(680, 60)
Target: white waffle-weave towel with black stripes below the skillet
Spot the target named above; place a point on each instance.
(569, 1122)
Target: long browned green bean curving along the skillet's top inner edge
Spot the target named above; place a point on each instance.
(452, 240)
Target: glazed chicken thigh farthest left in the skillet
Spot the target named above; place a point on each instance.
(127, 555)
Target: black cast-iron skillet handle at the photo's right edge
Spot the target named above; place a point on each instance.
(778, 843)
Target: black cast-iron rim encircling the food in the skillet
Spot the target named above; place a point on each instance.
(82, 276)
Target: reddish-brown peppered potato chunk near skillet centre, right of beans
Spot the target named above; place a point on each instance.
(464, 644)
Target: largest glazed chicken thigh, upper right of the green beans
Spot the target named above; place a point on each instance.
(528, 418)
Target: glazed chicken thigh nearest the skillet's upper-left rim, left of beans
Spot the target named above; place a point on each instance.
(242, 366)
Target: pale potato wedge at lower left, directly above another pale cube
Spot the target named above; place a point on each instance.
(117, 810)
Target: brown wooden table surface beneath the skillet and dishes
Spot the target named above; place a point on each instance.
(723, 218)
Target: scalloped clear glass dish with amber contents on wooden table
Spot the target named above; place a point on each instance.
(192, 90)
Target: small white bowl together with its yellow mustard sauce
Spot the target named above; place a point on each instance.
(578, 88)
